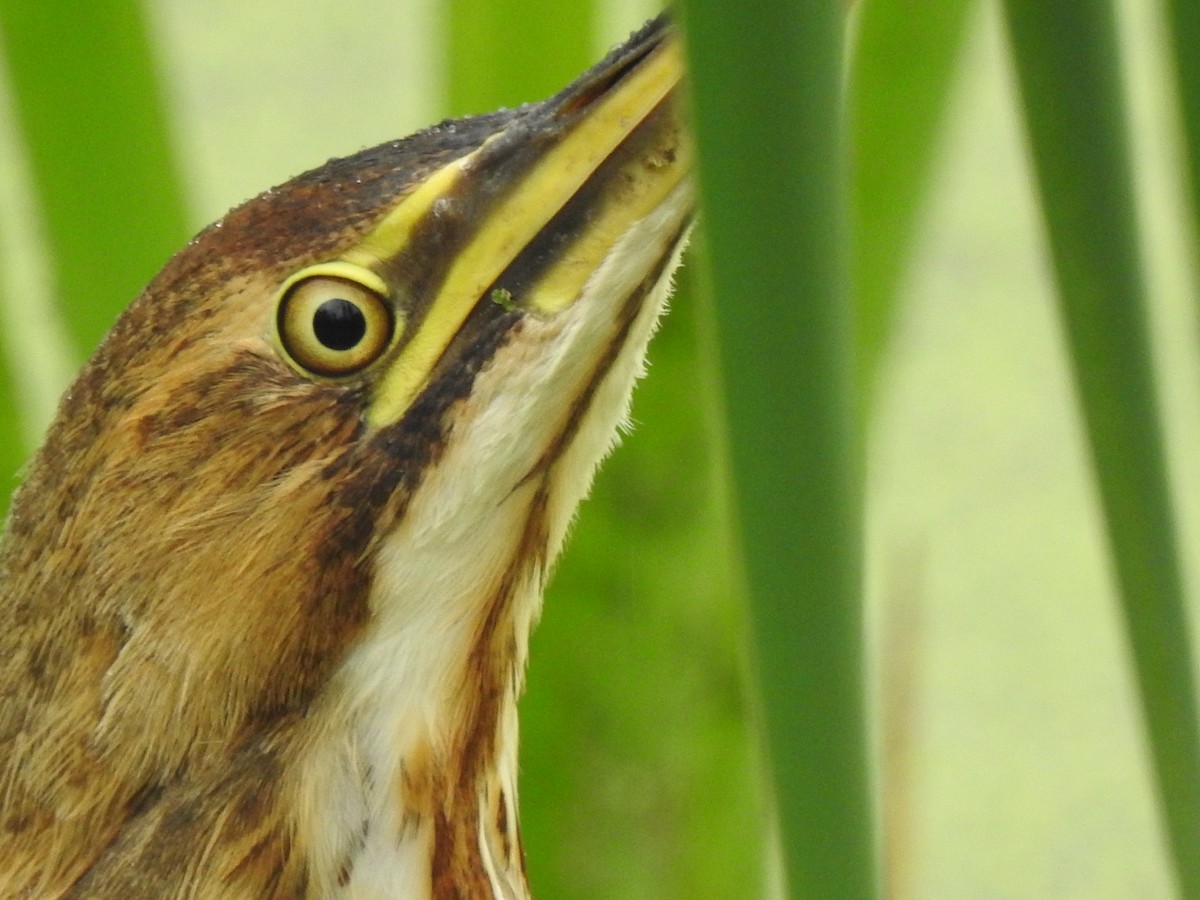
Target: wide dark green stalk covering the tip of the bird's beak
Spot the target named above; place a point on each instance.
(766, 83)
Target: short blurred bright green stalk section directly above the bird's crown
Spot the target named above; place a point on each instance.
(506, 53)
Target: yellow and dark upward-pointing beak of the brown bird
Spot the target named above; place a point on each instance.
(527, 218)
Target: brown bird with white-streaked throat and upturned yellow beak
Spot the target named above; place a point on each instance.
(268, 586)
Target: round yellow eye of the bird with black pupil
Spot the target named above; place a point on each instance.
(334, 327)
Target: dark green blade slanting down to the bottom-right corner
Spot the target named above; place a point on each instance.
(1069, 71)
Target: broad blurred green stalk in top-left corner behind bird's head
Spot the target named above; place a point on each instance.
(91, 113)
